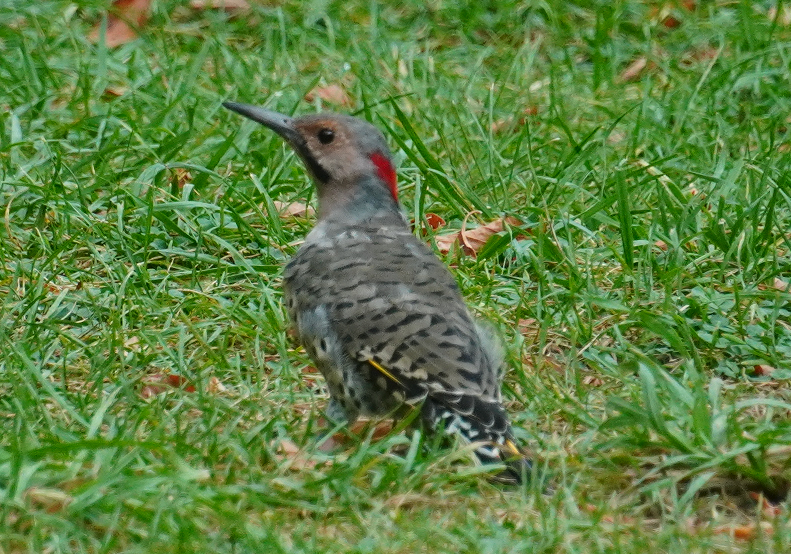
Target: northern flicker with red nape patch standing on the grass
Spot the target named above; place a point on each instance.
(380, 315)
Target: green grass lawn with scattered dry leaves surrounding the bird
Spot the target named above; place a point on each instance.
(637, 297)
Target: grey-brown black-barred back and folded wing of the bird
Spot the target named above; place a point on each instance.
(391, 301)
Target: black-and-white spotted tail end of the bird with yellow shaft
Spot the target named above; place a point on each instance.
(481, 422)
